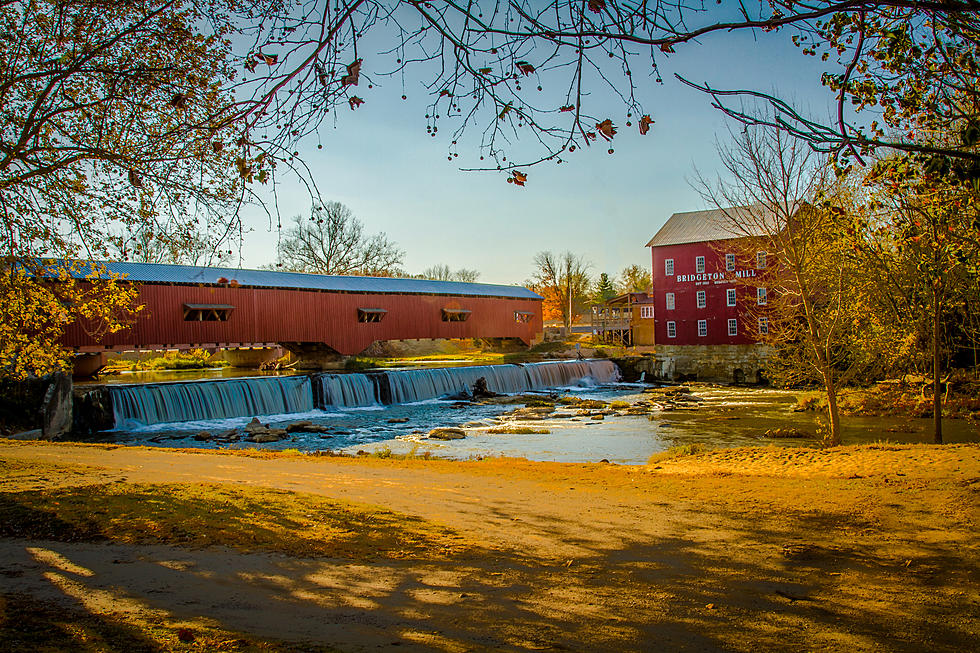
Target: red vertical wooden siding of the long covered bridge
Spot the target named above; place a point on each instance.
(264, 315)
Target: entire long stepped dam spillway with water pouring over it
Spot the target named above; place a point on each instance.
(156, 403)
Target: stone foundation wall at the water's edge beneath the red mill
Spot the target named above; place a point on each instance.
(717, 363)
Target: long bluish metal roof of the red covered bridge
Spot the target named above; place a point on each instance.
(192, 274)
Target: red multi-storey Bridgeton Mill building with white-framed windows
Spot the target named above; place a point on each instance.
(709, 298)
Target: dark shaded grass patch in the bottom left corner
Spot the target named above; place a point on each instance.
(27, 624)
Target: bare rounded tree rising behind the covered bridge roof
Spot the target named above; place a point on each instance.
(332, 241)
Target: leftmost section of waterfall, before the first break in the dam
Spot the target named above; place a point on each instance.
(189, 401)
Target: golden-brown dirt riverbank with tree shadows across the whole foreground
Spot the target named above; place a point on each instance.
(853, 548)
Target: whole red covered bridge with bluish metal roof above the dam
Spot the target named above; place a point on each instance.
(189, 306)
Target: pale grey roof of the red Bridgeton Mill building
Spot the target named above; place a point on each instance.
(713, 224)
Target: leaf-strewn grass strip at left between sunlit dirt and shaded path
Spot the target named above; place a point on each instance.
(241, 517)
